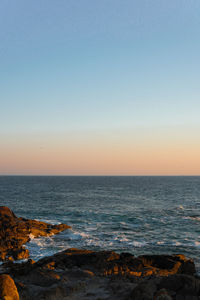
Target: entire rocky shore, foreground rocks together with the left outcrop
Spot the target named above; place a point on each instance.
(76, 274)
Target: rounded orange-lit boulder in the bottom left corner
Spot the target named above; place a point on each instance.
(8, 290)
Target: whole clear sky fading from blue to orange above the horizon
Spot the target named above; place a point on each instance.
(108, 87)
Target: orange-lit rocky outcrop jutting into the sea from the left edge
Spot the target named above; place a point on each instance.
(15, 232)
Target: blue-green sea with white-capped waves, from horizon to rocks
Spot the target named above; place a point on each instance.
(139, 215)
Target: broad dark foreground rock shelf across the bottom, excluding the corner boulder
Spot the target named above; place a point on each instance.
(105, 275)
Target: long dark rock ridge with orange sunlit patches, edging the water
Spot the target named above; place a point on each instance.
(111, 263)
